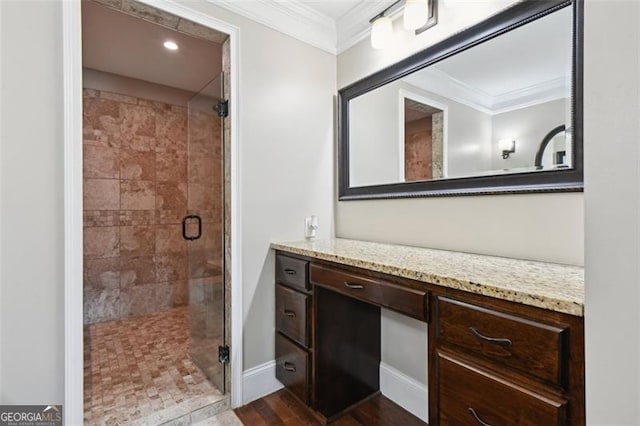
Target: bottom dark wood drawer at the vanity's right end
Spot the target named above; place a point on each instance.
(470, 396)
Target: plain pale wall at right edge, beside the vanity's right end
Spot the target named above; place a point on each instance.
(612, 216)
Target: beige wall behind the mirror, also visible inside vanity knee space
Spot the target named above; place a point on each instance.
(547, 227)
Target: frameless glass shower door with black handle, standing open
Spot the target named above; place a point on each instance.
(204, 228)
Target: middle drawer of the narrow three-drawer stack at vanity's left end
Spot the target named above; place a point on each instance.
(292, 314)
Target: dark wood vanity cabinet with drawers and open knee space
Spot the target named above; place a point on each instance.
(491, 361)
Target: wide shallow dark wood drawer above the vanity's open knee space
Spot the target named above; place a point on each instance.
(402, 299)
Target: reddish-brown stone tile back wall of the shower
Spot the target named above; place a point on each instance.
(135, 195)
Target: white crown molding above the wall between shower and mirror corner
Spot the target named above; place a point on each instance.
(289, 17)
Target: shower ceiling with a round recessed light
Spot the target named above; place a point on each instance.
(118, 43)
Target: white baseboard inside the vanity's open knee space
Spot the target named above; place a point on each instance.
(404, 391)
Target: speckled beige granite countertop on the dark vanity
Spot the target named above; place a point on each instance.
(545, 285)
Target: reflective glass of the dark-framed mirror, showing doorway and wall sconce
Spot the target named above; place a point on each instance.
(448, 120)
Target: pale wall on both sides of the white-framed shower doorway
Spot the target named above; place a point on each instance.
(286, 107)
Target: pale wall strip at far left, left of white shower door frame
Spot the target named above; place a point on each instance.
(32, 246)
